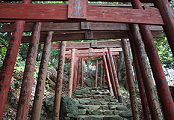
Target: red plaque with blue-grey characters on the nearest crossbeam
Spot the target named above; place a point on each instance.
(77, 8)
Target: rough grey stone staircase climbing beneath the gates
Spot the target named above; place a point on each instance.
(98, 104)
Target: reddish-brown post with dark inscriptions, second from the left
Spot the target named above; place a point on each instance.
(23, 105)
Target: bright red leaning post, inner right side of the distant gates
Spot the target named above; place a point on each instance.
(111, 75)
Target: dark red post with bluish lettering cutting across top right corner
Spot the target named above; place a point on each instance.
(168, 18)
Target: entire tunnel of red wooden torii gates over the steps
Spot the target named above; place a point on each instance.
(81, 21)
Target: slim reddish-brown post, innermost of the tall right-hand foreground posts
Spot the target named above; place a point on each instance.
(130, 80)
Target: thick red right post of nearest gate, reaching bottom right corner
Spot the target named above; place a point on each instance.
(158, 73)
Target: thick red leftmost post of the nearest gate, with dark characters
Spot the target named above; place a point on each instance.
(10, 59)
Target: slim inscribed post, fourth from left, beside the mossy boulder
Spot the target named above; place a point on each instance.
(58, 89)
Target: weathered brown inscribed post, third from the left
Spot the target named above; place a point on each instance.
(36, 110)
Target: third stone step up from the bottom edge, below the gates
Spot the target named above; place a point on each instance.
(103, 107)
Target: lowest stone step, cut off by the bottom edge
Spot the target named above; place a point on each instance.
(102, 117)
